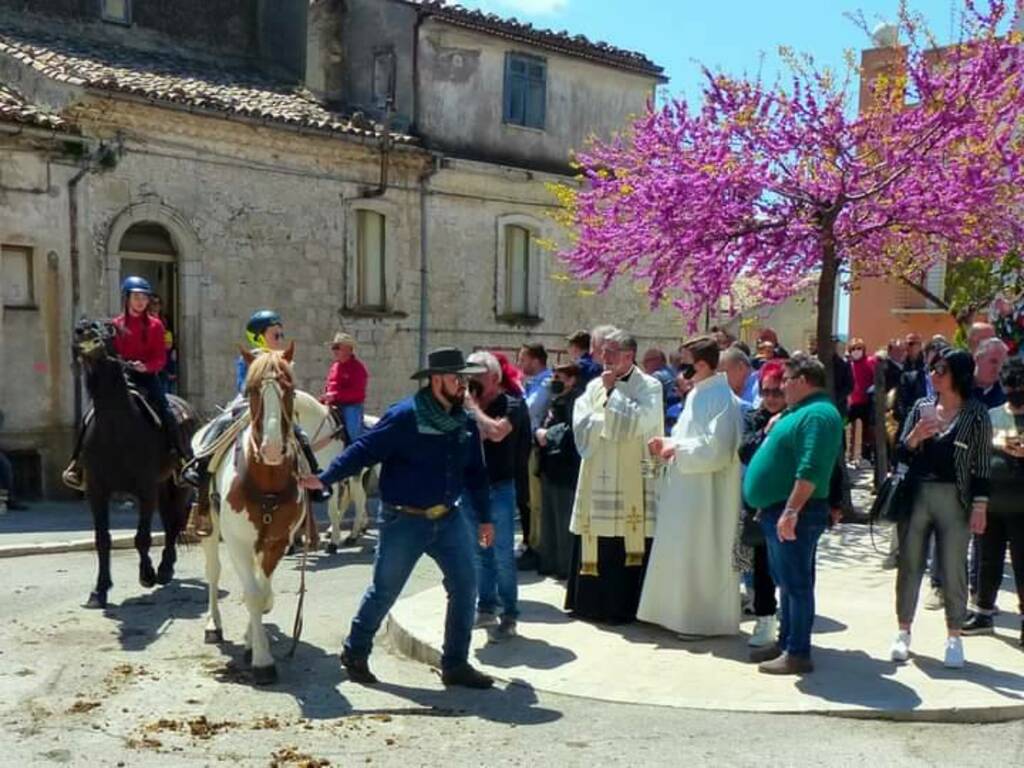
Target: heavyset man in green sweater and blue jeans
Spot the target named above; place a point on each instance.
(788, 482)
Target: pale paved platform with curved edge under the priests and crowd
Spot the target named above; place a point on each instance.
(643, 664)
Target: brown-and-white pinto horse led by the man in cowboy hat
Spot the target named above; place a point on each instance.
(260, 505)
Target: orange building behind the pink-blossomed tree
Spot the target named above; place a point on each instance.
(883, 309)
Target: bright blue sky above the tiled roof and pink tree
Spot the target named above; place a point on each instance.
(682, 34)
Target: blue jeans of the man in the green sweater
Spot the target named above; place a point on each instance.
(792, 566)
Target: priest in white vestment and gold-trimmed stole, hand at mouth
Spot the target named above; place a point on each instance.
(613, 515)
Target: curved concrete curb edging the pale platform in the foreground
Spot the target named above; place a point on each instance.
(406, 643)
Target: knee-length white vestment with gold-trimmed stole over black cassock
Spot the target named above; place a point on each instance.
(612, 434)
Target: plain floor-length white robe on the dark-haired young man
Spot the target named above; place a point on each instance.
(692, 587)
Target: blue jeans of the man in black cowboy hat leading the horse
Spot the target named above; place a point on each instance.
(403, 541)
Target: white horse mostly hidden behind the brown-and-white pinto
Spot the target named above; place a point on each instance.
(319, 423)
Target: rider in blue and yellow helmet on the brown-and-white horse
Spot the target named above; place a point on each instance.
(264, 331)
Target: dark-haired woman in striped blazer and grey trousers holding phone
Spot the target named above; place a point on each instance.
(948, 443)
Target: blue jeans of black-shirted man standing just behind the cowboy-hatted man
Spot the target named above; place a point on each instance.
(497, 571)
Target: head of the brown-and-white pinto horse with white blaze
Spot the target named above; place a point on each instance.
(271, 391)
